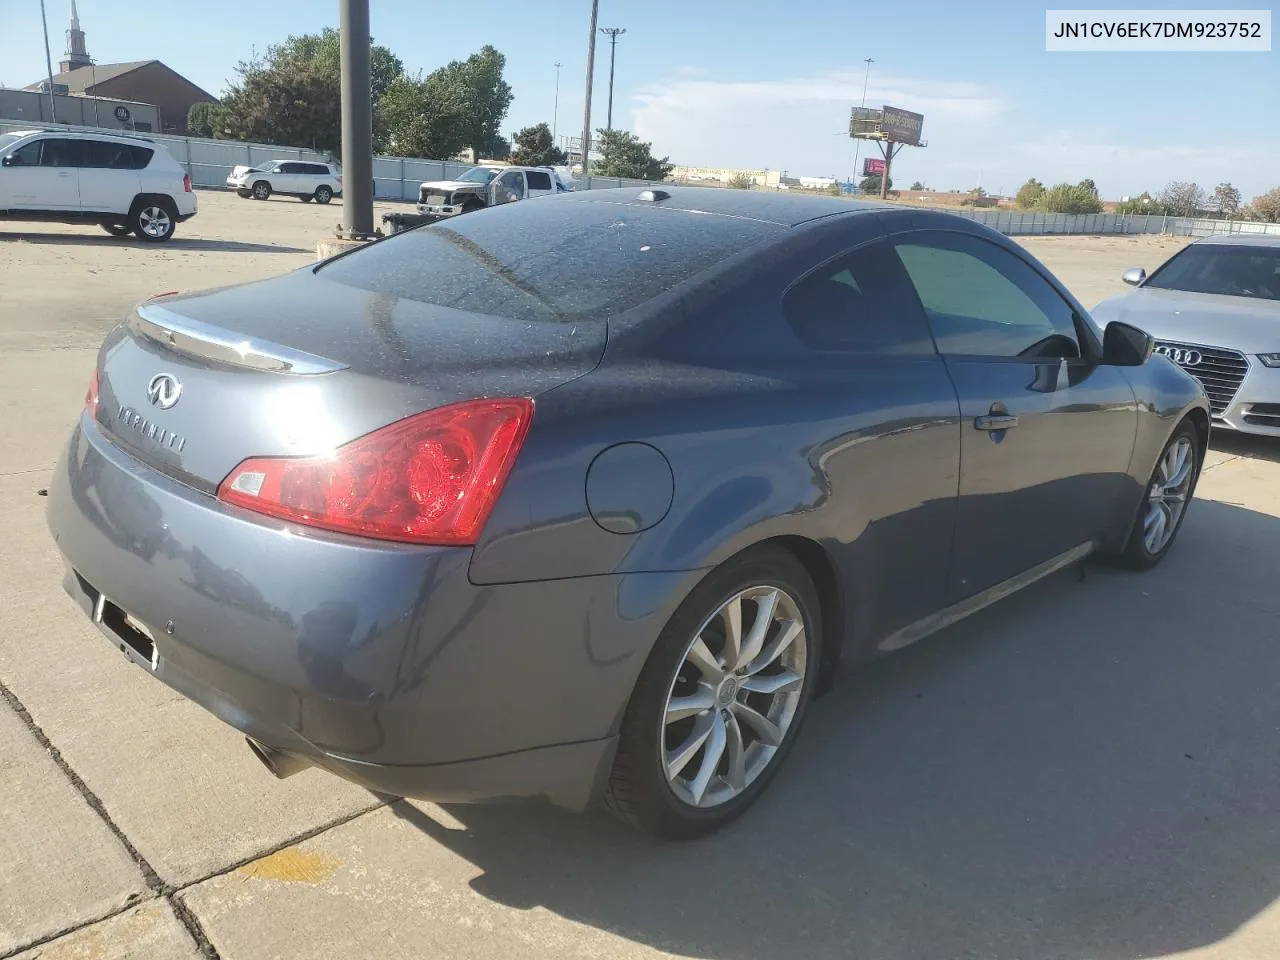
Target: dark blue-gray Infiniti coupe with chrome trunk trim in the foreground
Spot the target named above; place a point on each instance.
(587, 499)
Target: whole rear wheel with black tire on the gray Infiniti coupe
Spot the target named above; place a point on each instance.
(694, 698)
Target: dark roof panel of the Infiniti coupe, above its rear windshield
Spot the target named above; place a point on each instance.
(785, 209)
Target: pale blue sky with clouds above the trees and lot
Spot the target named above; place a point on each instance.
(764, 85)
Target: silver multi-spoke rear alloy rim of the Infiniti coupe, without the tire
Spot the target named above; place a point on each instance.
(734, 697)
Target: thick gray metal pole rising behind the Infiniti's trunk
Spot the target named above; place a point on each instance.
(358, 124)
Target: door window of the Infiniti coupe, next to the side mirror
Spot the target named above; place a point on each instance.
(984, 301)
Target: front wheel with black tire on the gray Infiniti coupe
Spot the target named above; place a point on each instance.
(1165, 501)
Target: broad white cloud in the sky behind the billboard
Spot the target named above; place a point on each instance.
(798, 124)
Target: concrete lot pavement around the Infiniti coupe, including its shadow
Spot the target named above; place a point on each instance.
(1087, 771)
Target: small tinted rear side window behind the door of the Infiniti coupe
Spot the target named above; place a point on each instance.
(860, 303)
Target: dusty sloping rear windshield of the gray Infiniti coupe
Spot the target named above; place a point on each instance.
(548, 259)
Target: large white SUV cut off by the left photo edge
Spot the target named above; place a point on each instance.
(129, 185)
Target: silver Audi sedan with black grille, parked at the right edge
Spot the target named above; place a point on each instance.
(1214, 309)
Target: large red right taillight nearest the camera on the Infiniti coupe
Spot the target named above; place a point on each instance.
(432, 478)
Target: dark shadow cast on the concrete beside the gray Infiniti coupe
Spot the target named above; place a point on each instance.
(1087, 770)
